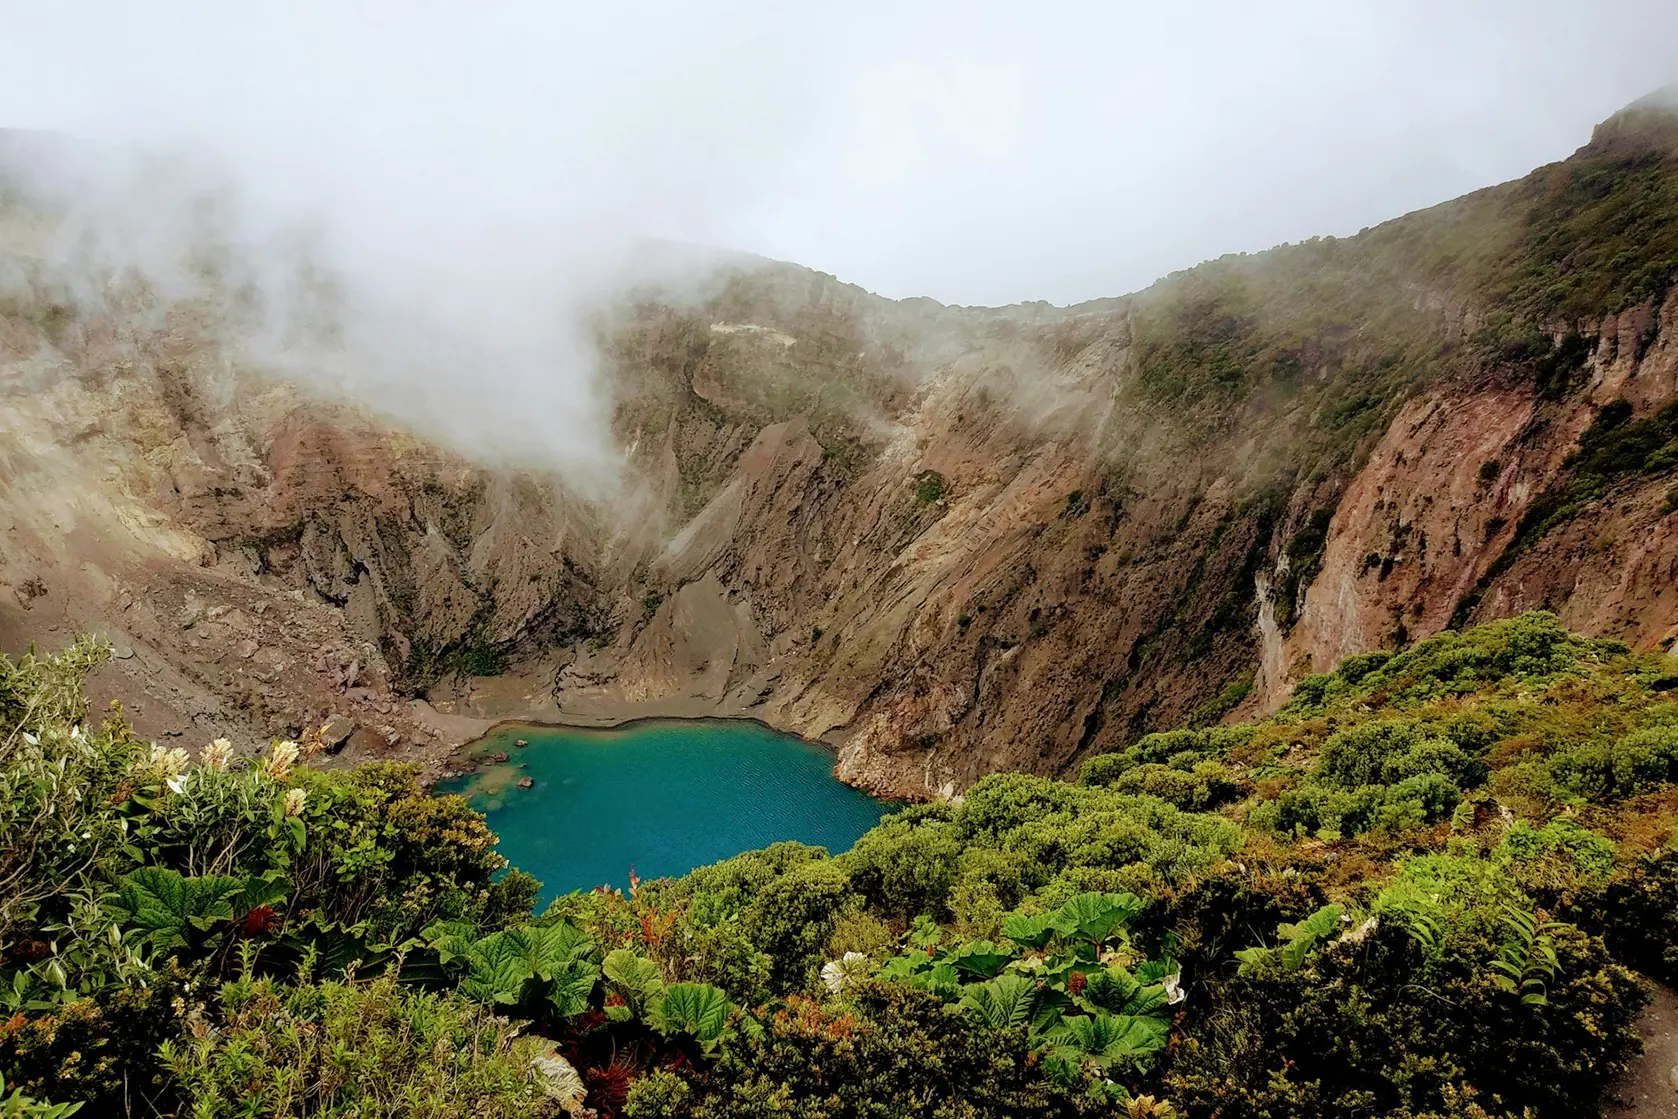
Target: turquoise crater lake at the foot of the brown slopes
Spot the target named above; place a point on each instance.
(662, 798)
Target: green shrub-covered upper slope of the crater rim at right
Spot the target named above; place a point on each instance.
(1331, 336)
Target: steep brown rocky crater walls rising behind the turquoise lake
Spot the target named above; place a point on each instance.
(951, 541)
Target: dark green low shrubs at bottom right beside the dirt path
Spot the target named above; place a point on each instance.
(1387, 1026)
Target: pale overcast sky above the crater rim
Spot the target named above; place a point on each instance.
(972, 152)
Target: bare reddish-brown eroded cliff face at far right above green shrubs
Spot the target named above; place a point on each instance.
(1427, 531)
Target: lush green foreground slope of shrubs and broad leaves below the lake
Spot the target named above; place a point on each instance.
(1424, 888)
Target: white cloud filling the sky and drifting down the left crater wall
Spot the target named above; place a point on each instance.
(425, 200)
